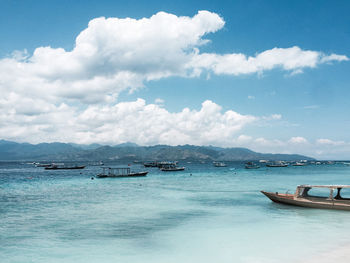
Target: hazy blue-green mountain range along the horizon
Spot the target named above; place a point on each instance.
(130, 151)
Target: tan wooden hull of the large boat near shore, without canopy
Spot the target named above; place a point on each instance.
(308, 202)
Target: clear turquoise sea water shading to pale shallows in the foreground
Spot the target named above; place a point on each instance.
(203, 214)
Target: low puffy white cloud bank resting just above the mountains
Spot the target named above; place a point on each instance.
(135, 121)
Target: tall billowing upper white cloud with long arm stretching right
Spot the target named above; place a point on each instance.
(113, 55)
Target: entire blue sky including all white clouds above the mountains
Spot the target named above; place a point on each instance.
(272, 76)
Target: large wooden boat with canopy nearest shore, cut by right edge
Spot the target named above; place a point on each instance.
(301, 197)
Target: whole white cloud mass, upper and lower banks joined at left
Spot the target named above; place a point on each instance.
(71, 95)
